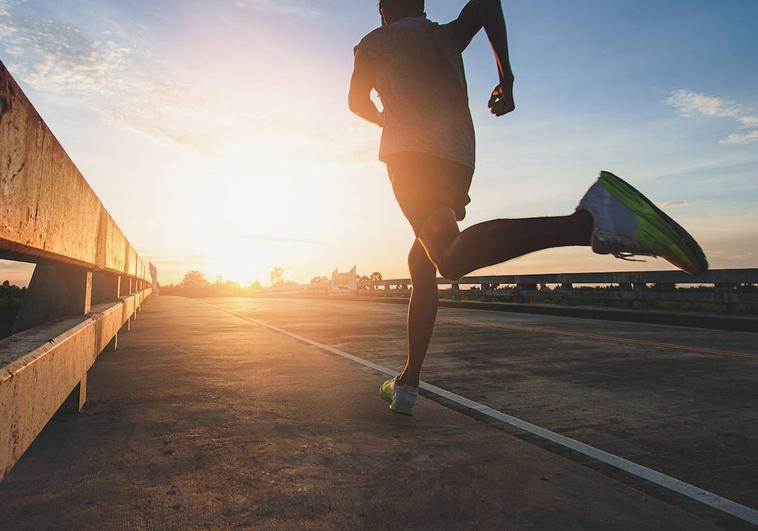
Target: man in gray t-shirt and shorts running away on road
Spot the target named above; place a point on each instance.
(427, 143)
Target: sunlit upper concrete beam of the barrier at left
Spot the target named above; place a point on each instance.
(47, 209)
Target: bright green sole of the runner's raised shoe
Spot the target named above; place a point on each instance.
(682, 249)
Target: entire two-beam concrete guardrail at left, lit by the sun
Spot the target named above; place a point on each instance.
(88, 283)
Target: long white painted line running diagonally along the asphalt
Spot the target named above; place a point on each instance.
(691, 491)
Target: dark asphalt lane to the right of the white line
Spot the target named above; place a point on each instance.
(679, 400)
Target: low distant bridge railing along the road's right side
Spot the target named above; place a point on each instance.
(721, 288)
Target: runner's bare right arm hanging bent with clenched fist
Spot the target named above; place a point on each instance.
(488, 14)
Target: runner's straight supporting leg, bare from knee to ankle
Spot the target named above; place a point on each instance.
(422, 312)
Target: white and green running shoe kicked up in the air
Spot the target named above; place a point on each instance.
(628, 224)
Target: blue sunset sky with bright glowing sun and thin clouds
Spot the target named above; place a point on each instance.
(217, 133)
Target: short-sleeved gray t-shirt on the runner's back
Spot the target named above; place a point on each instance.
(421, 82)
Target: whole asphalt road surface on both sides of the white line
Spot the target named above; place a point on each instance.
(205, 419)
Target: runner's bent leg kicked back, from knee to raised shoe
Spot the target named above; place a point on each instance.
(613, 217)
